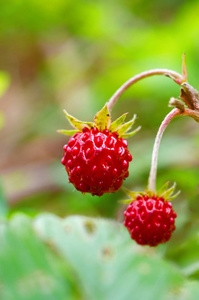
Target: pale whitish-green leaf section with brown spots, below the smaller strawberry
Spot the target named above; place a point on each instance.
(107, 263)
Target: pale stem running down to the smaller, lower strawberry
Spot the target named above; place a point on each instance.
(154, 160)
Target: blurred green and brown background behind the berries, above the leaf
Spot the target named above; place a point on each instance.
(74, 55)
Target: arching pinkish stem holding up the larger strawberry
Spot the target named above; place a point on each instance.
(172, 74)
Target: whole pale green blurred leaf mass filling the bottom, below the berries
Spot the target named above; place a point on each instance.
(83, 258)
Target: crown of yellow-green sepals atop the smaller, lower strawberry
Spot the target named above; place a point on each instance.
(165, 192)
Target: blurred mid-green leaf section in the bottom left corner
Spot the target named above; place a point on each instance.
(29, 269)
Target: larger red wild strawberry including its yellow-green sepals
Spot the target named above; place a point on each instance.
(96, 157)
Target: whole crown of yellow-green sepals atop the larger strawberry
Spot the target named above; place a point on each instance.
(102, 120)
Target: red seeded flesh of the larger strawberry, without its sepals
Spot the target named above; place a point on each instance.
(96, 161)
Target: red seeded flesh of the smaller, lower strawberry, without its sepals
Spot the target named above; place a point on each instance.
(150, 220)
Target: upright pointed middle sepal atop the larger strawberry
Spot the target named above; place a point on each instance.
(102, 119)
